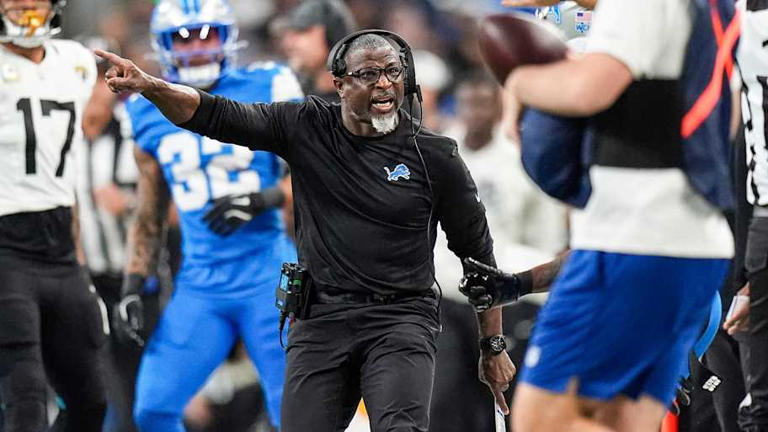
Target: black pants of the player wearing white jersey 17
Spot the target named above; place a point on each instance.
(51, 325)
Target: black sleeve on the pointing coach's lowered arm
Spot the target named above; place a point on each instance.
(460, 212)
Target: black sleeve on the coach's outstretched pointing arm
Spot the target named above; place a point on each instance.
(258, 126)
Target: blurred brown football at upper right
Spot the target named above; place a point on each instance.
(511, 40)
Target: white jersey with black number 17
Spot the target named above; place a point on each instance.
(41, 107)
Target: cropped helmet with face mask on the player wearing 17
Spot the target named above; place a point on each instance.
(30, 29)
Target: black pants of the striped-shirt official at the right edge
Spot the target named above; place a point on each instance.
(756, 263)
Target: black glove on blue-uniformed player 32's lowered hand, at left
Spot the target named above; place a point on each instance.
(128, 314)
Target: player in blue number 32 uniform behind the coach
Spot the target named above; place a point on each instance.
(228, 199)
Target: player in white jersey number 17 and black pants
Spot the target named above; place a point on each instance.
(51, 323)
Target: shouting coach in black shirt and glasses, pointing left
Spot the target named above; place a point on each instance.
(369, 189)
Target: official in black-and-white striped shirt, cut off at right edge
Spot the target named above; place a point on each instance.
(752, 57)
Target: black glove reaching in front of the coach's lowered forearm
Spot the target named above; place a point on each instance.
(488, 287)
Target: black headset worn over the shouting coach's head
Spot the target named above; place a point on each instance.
(338, 66)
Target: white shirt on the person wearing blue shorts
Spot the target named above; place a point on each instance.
(647, 211)
